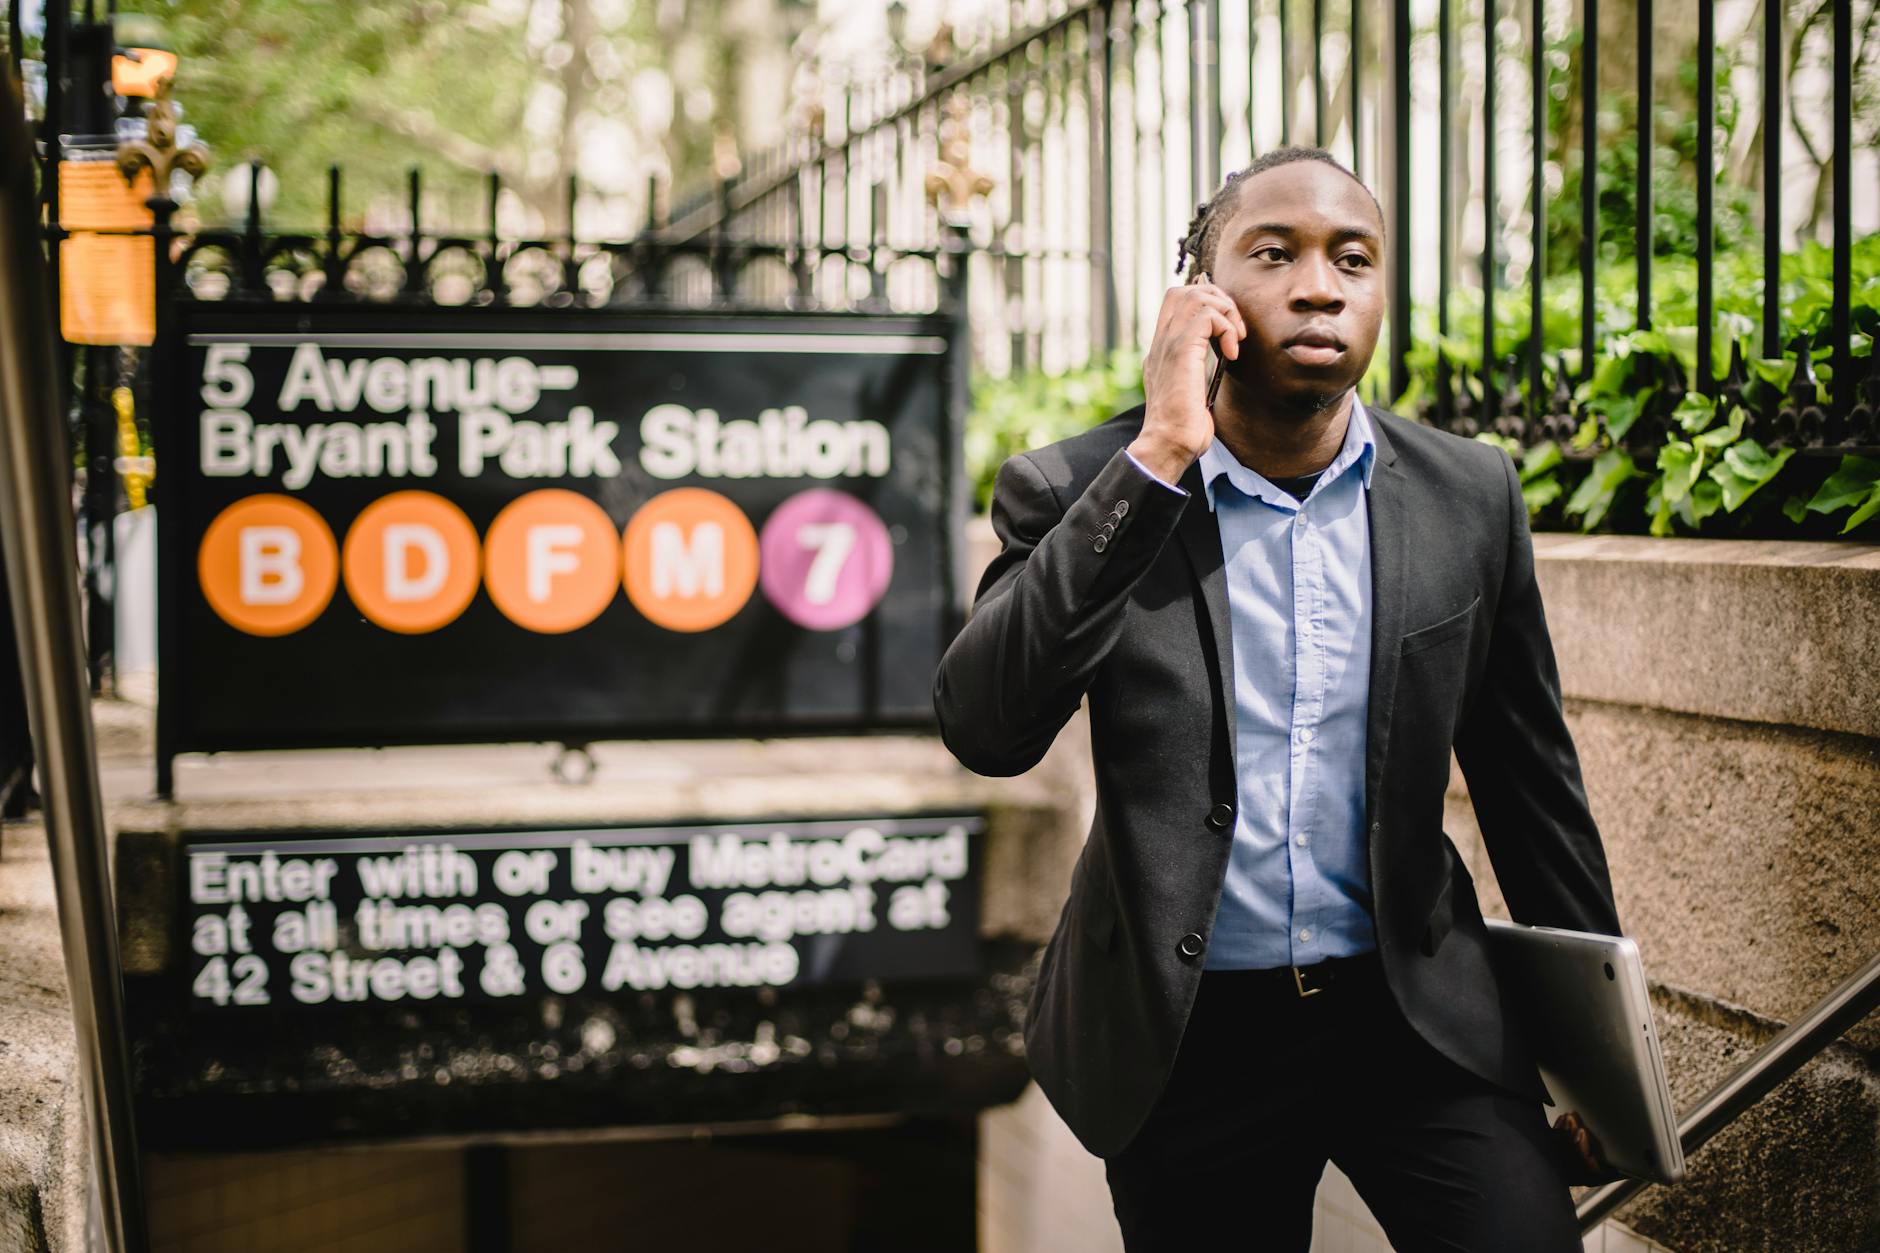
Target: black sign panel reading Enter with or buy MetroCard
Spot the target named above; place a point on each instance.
(287, 921)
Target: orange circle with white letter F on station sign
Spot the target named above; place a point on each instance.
(552, 560)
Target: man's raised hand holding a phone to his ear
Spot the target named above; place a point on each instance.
(1178, 428)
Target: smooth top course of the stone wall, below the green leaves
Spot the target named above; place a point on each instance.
(1759, 631)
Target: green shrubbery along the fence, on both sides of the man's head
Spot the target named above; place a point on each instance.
(1702, 479)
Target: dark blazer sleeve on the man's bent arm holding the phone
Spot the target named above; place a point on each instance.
(1050, 609)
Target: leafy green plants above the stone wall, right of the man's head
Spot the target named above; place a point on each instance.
(1706, 466)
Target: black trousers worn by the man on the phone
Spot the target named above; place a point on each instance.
(1270, 1086)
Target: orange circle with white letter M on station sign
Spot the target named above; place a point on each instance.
(689, 560)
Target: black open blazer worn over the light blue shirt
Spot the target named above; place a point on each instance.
(1112, 588)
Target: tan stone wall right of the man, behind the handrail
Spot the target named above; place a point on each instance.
(1725, 699)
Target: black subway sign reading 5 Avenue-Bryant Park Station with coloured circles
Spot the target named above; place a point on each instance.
(422, 526)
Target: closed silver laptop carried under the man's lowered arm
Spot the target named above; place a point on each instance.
(1588, 1019)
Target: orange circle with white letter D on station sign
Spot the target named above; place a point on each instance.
(411, 562)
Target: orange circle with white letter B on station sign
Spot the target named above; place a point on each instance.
(268, 565)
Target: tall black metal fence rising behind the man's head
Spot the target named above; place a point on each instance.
(1104, 121)
